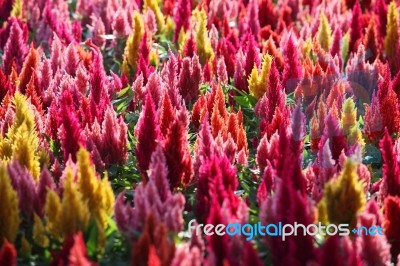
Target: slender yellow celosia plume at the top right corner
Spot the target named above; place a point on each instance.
(392, 34)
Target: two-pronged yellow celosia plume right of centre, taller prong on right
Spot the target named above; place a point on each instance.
(258, 82)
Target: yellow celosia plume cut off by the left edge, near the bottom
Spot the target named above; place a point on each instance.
(9, 211)
